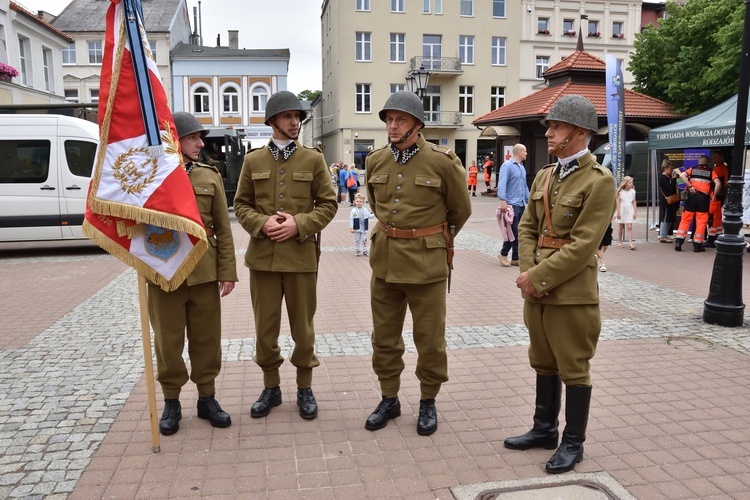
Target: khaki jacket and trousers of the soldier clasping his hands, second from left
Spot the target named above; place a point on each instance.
(300, 186)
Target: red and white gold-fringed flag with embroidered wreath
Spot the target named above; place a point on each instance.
(141, 207)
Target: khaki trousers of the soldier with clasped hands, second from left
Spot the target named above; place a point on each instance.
(267, 289)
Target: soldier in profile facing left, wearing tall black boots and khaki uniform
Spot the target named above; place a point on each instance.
(571, 205)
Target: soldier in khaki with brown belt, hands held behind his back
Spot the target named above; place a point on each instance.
(416, 191)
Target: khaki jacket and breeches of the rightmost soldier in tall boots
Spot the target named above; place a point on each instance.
(564, 325)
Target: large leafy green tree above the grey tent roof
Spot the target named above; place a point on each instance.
(691, 59)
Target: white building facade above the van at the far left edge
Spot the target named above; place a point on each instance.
(33, 48)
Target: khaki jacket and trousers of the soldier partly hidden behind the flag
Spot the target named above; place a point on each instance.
(195, 307)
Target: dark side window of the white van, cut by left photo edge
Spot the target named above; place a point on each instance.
(24, 161)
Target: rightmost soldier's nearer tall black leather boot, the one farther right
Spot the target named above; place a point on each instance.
(570, 452)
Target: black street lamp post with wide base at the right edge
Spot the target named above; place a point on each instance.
(724, 304)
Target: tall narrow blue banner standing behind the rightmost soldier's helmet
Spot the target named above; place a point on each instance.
(616, 116)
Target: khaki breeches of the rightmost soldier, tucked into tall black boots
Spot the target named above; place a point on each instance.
(563, 339)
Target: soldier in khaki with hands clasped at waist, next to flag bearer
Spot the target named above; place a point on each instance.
(284, 197)
